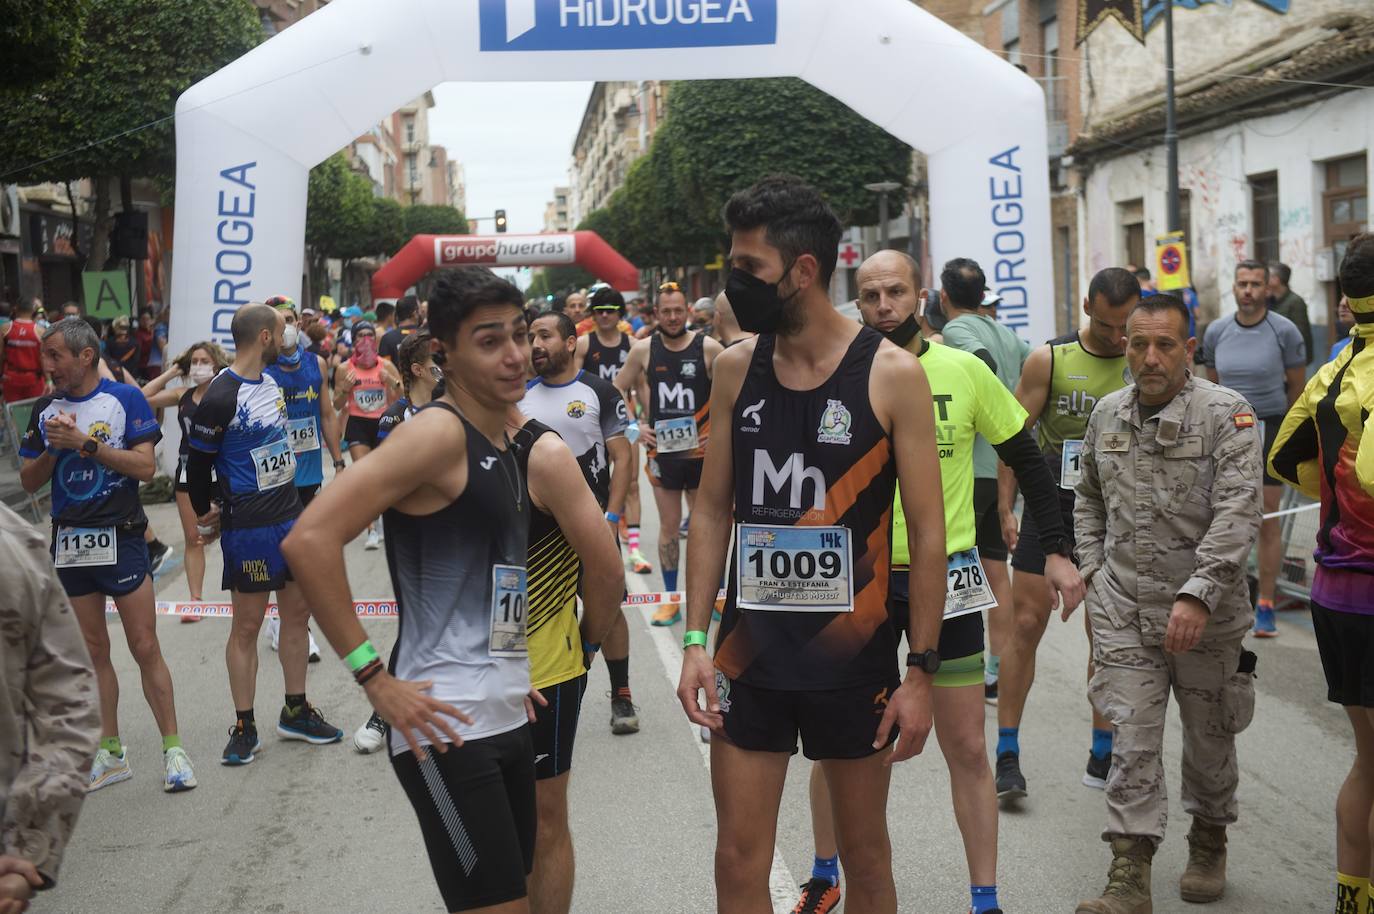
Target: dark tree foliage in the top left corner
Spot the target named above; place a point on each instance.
(41, 39)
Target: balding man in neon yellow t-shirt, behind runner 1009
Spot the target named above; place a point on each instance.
(968, 401)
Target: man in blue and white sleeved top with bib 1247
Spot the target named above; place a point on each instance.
(241, 432)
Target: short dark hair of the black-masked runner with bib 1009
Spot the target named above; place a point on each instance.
(798, 221)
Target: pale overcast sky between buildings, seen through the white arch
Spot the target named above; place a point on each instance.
(516, 141)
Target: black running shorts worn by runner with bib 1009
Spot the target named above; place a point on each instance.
(839, 724)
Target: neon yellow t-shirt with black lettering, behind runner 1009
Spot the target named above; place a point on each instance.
(968, 399)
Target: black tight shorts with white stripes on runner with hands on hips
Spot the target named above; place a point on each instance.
(476, 805)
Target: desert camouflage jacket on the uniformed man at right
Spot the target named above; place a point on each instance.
(1170, 506)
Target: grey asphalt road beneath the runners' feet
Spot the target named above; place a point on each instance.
(322, 829)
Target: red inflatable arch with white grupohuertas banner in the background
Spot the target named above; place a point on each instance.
(557, 249)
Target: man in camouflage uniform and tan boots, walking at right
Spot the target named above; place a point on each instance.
(1167, 512)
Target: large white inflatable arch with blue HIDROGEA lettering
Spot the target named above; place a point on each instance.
(249, 134)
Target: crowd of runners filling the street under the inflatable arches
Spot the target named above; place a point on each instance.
(848, 486)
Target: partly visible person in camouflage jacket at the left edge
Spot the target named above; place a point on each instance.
(50, 720)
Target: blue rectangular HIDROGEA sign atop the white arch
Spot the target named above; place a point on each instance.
(622, 25)
